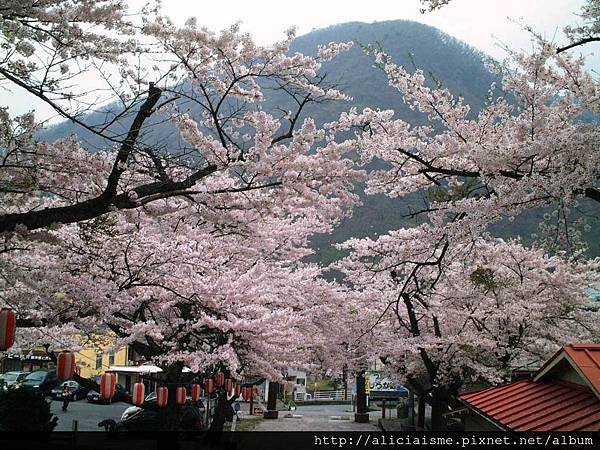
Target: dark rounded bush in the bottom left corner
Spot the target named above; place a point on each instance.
(24, 410)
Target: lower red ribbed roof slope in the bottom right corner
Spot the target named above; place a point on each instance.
(529, 406)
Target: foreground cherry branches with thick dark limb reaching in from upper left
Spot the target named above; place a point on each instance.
(220, 73)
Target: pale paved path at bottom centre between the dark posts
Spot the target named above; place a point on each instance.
(320, 418)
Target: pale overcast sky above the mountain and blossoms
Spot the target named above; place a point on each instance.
(481, 23)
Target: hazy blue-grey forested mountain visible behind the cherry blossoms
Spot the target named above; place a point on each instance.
(448, 61)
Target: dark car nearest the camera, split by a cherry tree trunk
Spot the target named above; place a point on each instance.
(149, 420)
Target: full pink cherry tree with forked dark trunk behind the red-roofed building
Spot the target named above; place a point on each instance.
(442, 317)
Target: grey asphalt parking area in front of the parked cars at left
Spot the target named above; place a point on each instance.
(88, 414)
